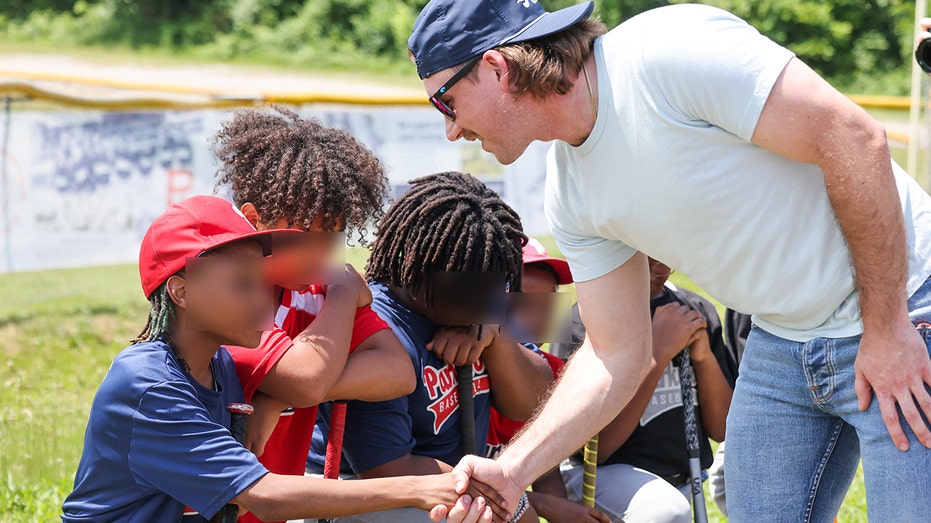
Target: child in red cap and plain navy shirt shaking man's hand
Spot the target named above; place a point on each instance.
(157, 439)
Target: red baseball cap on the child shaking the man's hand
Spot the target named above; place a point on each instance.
(188, 229)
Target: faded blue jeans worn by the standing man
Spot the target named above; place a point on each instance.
(795, 436)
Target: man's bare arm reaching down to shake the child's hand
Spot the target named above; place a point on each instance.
(599, 380)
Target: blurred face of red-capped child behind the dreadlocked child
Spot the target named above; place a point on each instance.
(532, 310)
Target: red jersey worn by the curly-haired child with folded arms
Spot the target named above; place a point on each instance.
(286, 450)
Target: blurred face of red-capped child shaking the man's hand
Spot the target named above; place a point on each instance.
(226, 294)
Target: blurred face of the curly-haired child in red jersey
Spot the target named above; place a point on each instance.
(298, 262)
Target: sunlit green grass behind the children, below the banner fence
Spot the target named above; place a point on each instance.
(60, 330)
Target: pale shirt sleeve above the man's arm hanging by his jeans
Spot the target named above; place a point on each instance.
(708, 66)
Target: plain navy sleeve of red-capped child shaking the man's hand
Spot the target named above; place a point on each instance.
(177, 449)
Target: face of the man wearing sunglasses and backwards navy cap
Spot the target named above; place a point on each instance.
(484, 108)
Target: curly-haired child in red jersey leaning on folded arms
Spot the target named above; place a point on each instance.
(289, 172)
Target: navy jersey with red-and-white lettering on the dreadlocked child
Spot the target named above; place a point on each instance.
(423, 423)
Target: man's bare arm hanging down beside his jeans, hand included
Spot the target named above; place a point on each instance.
(807, 120)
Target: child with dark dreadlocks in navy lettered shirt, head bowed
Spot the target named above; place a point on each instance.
(445, 224)
